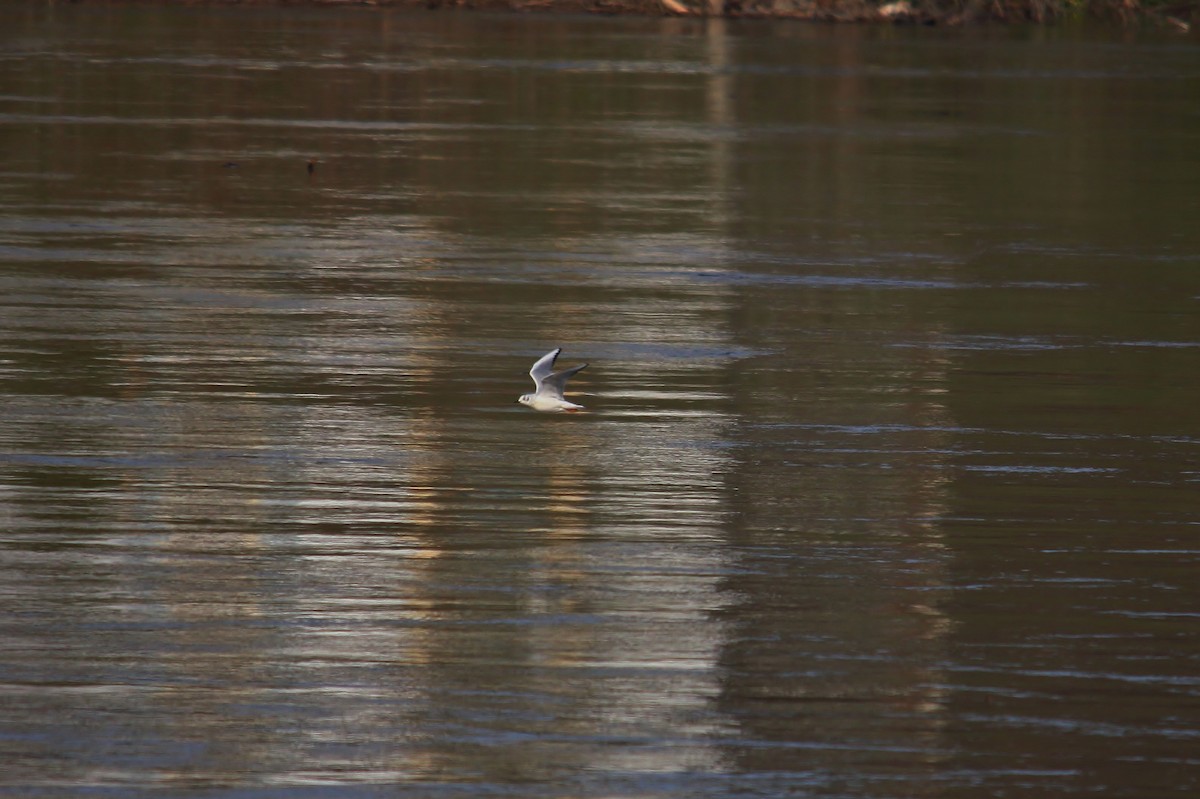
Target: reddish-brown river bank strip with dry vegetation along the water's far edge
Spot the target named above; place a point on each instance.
(1178, 15)
